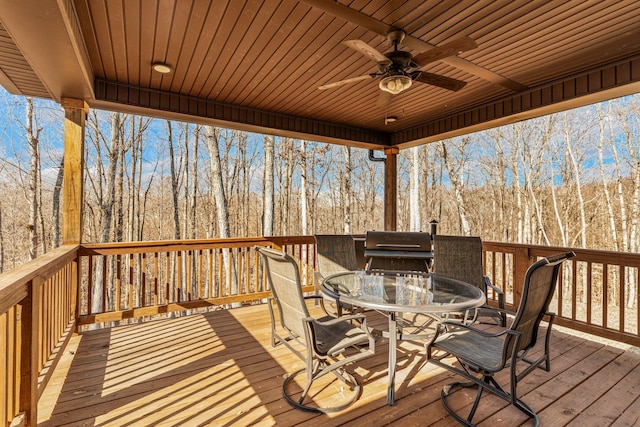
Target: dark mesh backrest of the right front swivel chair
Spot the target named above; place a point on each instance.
(539, 286)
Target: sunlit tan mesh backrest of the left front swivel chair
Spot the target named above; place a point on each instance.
(284, 279)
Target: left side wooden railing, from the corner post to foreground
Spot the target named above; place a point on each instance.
(37, 316)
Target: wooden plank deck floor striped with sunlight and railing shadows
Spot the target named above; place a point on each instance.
(219, 369)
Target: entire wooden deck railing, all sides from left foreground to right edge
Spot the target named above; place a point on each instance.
(45, 300)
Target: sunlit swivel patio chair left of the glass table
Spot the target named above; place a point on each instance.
(325, 344)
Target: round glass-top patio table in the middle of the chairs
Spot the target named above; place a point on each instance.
(398, 292)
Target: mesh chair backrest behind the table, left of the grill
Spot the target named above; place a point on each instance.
(336, 253)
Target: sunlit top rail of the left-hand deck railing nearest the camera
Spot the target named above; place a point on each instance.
(13, 284)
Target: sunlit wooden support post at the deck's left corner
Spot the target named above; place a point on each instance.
(75, 113)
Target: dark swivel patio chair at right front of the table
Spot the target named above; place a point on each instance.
(481, 354)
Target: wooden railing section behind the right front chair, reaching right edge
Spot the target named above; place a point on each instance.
(597, 292)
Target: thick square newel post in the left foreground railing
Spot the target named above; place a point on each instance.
(29, 339)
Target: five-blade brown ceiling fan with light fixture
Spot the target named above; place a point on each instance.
(398, 69)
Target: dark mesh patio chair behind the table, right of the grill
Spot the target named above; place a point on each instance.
(460, 258)
